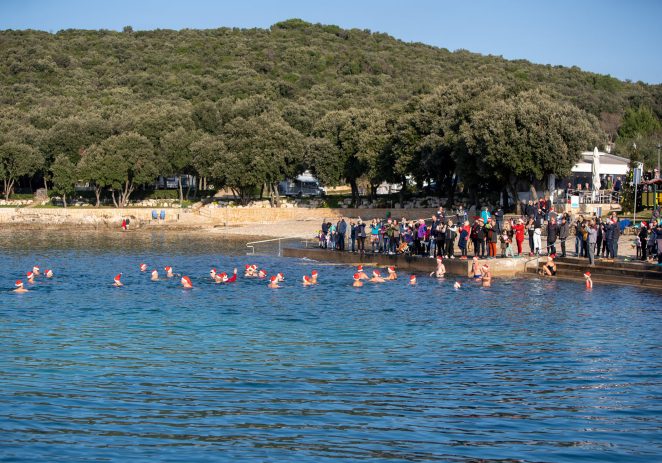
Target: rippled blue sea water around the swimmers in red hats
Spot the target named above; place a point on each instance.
(528, 370)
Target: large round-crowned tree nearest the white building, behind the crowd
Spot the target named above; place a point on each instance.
(526, 137)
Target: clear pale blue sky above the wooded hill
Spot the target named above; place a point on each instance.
(619, 38)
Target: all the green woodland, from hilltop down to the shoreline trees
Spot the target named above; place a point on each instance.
(244, 109)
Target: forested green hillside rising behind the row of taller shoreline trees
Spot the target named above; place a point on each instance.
(308, 69)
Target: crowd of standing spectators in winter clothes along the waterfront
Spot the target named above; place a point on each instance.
(489, 234)
